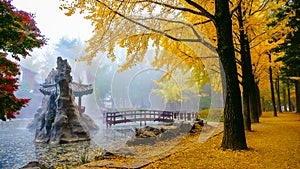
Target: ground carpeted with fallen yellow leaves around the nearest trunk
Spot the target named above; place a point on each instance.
(273, 143)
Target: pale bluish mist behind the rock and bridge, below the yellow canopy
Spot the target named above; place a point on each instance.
(133, 88)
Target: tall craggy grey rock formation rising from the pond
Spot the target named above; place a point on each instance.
(59, 120)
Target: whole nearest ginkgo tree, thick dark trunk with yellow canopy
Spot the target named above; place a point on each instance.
(137, 24)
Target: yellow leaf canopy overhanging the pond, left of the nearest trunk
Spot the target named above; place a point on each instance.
(179, 41)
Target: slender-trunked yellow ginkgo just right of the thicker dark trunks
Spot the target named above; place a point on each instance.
(264, 36)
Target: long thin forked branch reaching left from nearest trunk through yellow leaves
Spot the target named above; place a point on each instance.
(199, 39)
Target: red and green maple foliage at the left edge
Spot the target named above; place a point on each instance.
(18, 36)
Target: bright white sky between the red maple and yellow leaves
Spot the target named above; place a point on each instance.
(53, 23)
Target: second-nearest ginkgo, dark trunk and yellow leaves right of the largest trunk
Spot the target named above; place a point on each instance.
(251, 32)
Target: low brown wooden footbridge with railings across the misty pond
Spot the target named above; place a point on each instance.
(126, 116)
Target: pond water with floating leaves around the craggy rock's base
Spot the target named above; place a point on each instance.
(17, 147)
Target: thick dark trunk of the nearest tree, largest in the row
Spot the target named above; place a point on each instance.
(234, 134)
